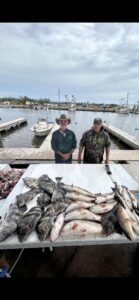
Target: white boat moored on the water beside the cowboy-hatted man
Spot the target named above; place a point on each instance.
(42, 127)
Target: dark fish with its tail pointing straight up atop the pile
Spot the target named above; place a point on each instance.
(58, 193)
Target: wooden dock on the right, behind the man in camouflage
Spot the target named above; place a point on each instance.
(123, 136)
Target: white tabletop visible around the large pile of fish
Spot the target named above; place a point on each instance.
(90, 177)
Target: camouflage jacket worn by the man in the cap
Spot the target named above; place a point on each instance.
(94, 144)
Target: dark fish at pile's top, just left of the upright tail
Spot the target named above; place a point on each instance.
(46, 184)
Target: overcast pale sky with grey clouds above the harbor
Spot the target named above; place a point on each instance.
(96, 62)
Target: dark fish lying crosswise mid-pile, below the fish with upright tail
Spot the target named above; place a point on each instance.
(55, 208)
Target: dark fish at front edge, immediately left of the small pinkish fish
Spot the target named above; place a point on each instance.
(44, 226)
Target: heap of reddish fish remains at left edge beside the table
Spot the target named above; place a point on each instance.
(8, 179)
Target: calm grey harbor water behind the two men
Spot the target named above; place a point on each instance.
(23, 137)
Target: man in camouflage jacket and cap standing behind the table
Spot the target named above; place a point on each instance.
(94, 141)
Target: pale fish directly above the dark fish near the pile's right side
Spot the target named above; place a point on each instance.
(102, 208)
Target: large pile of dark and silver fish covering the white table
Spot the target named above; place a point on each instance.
(70, 211)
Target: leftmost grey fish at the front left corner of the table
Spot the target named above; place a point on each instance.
(9, 225)
